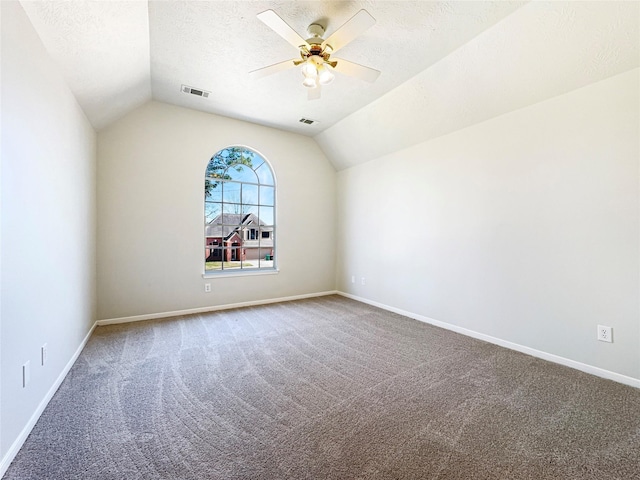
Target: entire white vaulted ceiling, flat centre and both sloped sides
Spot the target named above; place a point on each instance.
(444, 64)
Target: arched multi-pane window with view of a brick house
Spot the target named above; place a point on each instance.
(239, 206)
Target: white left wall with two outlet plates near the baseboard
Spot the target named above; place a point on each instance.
(48, 225)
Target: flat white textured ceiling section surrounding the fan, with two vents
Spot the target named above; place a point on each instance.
(213, 45)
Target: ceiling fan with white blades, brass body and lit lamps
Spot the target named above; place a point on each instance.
(315, 52)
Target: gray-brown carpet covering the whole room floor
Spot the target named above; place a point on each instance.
(325, 388)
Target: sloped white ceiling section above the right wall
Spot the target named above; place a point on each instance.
(542, 50)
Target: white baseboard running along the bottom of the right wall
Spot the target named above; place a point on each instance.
(583, 367)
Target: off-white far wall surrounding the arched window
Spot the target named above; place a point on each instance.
(150, 207)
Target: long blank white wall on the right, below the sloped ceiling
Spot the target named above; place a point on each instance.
(524, 227)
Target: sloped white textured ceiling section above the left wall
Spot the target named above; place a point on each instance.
(102, 49)
